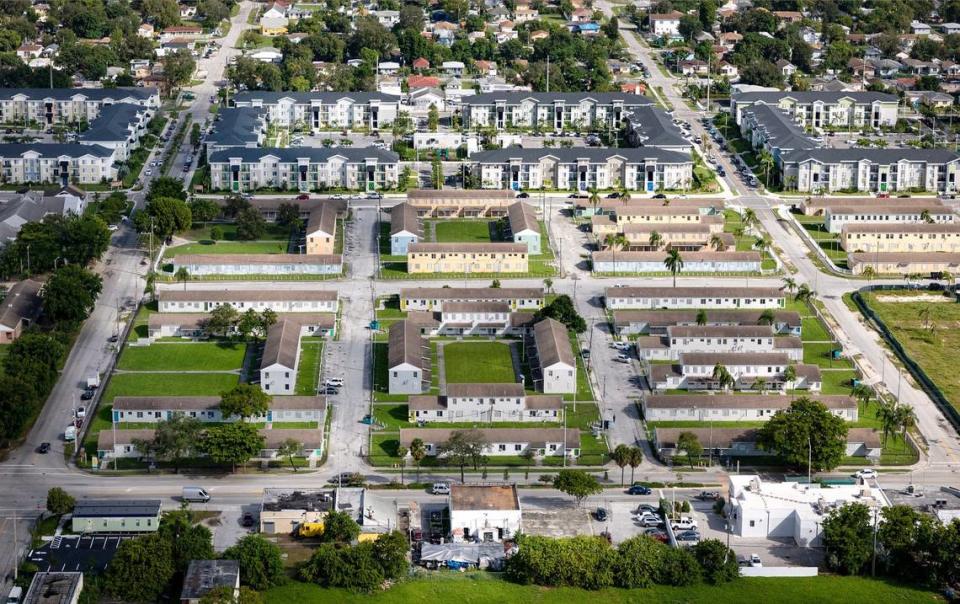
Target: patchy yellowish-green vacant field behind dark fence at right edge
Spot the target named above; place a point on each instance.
(928, 331)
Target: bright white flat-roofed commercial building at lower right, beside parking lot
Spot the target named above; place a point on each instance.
(764, 509)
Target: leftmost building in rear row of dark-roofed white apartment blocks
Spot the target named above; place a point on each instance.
(50, 106)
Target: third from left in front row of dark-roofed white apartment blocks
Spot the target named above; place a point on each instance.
(580, 169)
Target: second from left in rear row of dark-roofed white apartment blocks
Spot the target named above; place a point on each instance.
(318, 111)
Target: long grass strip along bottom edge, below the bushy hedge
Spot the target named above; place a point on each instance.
(481, 587)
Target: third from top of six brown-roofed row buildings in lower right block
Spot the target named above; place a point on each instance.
(681, 339)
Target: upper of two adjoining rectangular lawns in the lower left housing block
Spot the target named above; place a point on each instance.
(192, 356)
